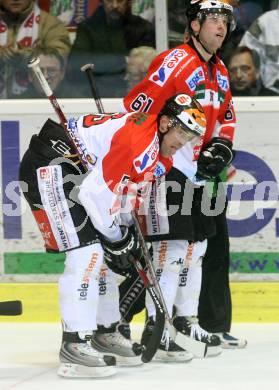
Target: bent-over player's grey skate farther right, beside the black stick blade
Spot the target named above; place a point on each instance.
(111, 341)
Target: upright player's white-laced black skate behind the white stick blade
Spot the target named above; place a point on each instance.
(189, 325)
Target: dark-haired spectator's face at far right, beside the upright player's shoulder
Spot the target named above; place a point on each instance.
(244, 68)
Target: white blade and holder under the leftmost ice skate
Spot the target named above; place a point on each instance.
(70, 370)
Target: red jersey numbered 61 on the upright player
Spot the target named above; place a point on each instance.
(182, 70)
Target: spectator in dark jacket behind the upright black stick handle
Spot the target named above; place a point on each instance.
(105, 38)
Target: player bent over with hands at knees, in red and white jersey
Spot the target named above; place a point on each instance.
(80, 214)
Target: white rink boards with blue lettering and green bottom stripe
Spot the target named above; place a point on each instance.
(253, 217)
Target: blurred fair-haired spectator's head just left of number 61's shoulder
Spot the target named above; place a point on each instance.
(138, 62)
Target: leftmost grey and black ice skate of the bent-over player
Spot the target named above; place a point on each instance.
(80, 360)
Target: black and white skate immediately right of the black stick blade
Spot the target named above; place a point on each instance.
(168, 351)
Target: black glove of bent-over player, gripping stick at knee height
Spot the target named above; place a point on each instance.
(120, 254)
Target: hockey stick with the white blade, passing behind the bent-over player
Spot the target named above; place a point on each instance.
(198, 348)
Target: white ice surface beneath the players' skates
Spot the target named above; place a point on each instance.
(29, 360)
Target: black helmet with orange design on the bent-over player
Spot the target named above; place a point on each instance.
(186, 112)
